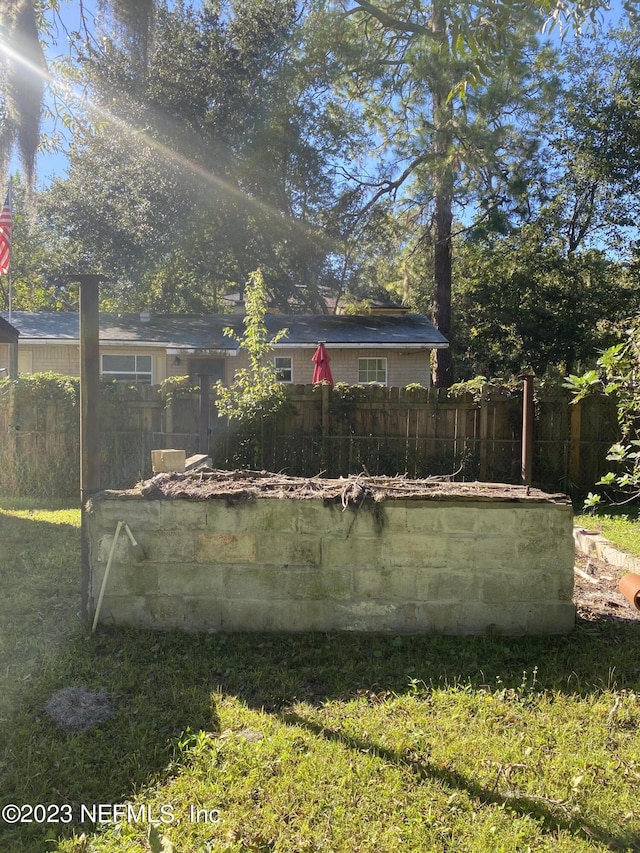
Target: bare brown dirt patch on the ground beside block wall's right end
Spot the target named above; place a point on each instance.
(596, 596)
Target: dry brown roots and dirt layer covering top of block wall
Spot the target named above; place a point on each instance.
(208, 484)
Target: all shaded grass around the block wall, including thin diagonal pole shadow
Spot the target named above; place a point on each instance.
(164, 683)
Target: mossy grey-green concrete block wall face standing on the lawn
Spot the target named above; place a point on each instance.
(287, 564)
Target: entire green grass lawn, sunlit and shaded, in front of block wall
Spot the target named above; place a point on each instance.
(253, 743)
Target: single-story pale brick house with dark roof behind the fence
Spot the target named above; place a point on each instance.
(390, 350)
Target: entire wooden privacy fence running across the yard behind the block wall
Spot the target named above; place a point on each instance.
(346, 430)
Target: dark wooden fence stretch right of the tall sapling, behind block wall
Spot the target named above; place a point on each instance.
(424, 432)
